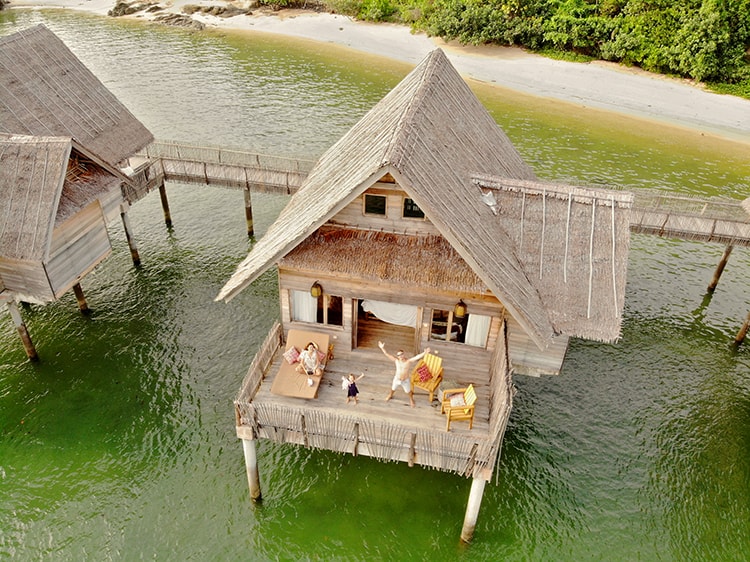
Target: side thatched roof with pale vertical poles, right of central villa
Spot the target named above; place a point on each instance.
(574, 244)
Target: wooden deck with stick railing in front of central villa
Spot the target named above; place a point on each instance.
(387, 430)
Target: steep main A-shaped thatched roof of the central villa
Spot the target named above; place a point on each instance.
(432, 135)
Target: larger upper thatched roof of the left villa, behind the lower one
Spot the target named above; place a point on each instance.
(47, 91)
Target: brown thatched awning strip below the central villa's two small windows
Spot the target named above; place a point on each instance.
(416, 261)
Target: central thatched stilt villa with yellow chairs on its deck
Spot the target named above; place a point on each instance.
(422, 227)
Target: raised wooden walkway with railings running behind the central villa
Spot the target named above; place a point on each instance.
(719, 220)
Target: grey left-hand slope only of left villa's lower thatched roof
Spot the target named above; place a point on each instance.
(32, 173)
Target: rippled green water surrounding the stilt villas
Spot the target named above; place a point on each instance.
(119, 444)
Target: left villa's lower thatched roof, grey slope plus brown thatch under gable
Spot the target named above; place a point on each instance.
(43, 181)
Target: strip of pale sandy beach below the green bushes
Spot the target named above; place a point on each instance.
(597, 85)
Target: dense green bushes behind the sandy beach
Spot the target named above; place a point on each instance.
(705, 40)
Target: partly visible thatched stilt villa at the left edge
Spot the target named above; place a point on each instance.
(64, 141)
